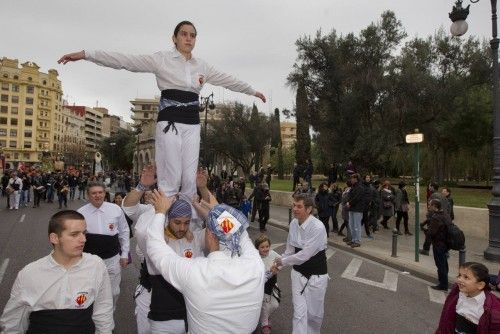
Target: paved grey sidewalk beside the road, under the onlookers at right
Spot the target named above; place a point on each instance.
(379, 249)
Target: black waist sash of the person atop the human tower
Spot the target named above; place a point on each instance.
(189, 114)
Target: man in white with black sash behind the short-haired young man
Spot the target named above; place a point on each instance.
(107, 234)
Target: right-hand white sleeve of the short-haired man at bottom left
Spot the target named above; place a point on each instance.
(103, 303)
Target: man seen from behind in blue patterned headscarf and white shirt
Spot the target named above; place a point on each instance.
(224, 291)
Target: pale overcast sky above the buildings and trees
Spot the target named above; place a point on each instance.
(253, 39)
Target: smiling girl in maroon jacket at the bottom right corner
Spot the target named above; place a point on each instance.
(471, 307)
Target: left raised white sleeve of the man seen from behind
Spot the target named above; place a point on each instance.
(175, 269)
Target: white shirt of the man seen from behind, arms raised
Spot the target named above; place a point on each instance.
(223, 294)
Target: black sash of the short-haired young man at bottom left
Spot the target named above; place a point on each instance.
(64, 321)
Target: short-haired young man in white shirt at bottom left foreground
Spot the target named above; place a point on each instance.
(67, 291)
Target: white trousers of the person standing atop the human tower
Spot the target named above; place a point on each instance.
(176, 157)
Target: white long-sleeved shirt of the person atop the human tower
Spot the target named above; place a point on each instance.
(171, 69)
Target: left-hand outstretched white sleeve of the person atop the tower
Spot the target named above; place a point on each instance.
(116, 60)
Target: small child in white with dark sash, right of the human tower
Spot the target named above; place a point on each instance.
(272, 293)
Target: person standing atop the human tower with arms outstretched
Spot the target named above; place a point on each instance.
(180, 77)
